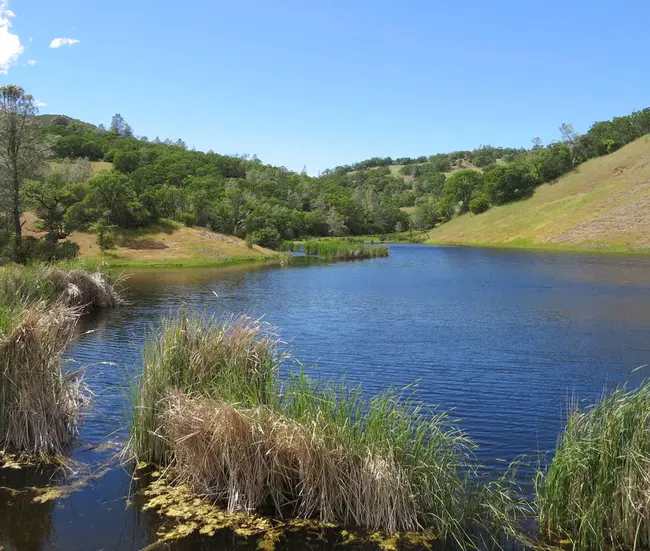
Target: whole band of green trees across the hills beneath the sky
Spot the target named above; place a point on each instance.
(46, 166)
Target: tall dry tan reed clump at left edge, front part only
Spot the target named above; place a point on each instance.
(39, 405)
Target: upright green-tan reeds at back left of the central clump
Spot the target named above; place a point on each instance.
(202, 356)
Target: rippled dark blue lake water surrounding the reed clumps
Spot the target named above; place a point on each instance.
(503, 339)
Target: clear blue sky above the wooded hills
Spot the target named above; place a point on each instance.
(324, 83)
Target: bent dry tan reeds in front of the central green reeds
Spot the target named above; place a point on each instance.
(254, 458)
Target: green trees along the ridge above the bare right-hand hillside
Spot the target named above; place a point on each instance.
(442, 186)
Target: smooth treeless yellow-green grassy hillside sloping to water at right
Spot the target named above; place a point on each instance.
(603, 204)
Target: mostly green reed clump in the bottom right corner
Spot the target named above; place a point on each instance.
(596, 492)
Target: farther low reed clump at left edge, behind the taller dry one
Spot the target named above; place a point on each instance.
(49, 283)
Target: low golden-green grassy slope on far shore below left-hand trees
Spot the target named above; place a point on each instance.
(164, 244)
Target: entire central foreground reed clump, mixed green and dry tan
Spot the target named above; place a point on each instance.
(210, 402)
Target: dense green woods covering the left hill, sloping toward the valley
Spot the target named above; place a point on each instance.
(151, 180)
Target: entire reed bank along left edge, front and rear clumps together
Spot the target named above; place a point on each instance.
(39, 308)
